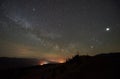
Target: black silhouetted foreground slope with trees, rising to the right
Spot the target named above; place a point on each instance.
(103, 66)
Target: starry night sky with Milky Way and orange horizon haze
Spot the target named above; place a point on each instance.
(58, 29)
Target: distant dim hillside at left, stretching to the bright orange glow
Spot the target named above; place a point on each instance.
(12, 63)
